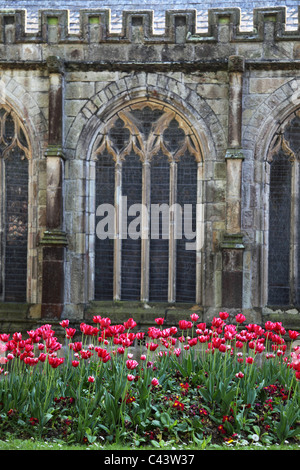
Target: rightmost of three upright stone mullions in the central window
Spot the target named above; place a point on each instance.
(172, 232)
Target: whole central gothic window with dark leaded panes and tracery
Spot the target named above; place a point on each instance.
(148, 163)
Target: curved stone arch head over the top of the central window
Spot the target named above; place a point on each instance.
(154, 86)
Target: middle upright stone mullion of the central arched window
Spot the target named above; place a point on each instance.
(145, 254)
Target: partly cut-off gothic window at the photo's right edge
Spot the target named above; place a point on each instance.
(284, 218)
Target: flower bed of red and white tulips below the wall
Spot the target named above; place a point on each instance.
(189, 383)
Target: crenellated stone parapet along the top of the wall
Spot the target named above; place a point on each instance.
(137, 27)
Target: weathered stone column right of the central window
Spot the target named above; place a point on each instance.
(232, 269)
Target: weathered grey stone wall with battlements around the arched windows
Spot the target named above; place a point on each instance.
(235, 87)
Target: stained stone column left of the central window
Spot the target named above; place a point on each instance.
(54, 239)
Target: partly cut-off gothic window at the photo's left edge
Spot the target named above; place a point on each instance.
(14, 153)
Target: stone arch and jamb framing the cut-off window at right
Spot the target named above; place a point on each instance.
(261, 135)
